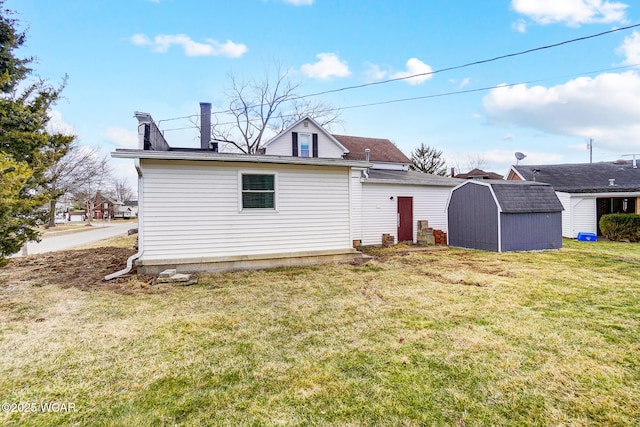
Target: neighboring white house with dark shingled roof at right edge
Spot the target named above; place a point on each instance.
(587, 190)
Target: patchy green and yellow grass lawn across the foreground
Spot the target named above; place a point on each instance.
(451, 337)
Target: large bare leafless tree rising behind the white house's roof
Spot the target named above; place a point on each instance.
(258, 107)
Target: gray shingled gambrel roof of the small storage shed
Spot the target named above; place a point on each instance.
(522, 196)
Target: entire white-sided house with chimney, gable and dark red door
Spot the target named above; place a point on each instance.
(310, 198)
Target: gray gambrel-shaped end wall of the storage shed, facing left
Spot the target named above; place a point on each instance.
(473, 218)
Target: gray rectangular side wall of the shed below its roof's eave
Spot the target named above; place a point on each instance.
(531, 231)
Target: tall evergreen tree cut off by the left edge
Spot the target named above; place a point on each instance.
(27, 150)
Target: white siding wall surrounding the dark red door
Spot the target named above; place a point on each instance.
(379, 212)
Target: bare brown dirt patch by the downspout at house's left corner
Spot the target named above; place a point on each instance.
(82, 269)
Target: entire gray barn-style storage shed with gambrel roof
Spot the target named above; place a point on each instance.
(502, 216)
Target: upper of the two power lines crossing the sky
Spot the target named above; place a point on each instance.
(469, 64)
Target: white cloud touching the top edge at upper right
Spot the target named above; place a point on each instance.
(571, 12)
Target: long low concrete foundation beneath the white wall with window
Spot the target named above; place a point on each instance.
(249, 262)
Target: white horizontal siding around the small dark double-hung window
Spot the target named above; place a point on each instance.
(192, 210)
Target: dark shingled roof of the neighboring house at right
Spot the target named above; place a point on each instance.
(585, 177)
